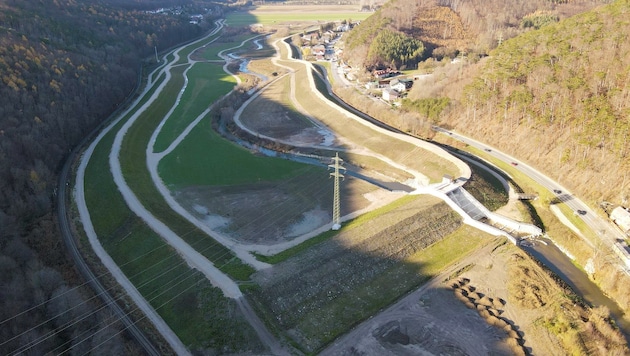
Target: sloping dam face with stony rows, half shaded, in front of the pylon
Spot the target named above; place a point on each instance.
(322, 292)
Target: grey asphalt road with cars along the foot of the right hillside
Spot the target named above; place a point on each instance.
(608, 233)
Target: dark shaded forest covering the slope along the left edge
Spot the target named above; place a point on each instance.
(64, 65)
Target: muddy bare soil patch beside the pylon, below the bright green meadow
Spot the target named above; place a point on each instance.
(268, 213)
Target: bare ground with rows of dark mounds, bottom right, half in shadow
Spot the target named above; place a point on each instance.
(496, 301)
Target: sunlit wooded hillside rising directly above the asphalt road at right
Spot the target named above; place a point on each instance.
(558, 98)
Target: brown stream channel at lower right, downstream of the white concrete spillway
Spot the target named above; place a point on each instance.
(551, 256)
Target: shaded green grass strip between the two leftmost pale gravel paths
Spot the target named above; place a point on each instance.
(198, 313)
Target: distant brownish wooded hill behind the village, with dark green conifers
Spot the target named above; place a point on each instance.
(450, 27)
